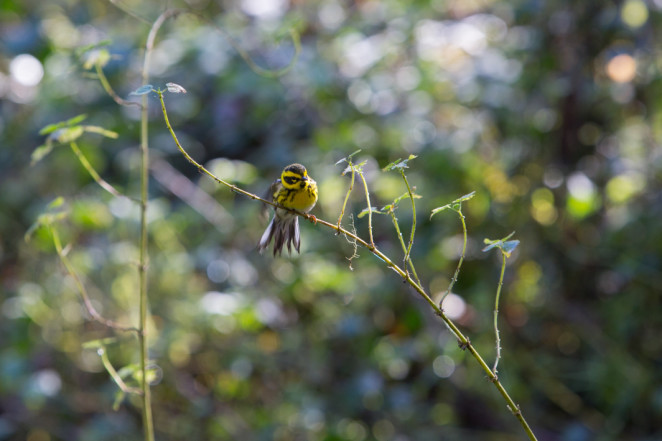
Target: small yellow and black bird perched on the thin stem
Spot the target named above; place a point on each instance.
(295, 190)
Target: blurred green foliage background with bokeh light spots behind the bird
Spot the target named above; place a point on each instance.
(550, 111)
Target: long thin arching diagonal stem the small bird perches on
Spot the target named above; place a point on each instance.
(463, 341)
